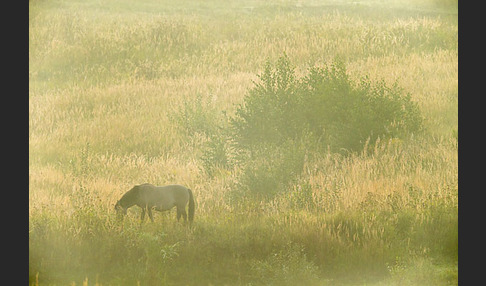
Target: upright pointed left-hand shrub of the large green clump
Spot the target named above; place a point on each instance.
(268, 114)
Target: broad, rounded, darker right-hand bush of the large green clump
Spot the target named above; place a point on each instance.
(344, 115)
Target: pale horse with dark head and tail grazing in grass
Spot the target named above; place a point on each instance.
(148, 197)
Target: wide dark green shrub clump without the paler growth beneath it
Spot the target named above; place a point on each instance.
(326, 103)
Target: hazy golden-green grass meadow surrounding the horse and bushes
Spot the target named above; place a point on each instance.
(128, 92)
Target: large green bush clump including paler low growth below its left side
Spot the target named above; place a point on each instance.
(284, 118)
